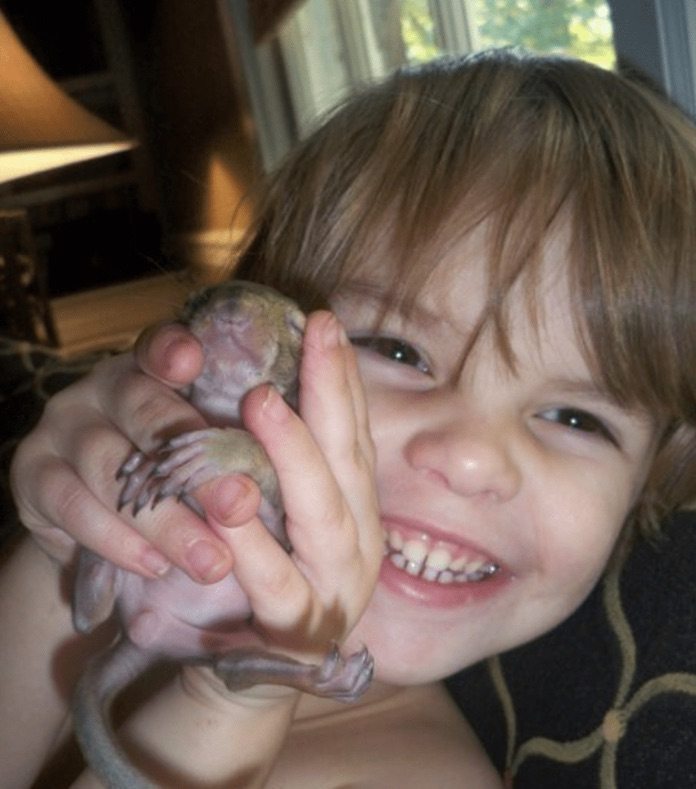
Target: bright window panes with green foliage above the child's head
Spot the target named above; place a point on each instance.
(332, 47)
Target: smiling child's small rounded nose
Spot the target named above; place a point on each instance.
(471, 461)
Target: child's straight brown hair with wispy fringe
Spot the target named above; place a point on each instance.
(523, 142)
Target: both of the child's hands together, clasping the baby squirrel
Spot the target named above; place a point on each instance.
(64, 479)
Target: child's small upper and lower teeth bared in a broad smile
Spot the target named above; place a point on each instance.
(436, 563)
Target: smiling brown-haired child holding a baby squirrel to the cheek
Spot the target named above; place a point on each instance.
(509, 243)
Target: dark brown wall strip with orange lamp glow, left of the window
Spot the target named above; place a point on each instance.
(200, 131)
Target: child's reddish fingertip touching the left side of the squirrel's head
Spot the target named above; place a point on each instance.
(169, 353)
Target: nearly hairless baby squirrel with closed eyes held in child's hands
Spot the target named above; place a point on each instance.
(251, 335)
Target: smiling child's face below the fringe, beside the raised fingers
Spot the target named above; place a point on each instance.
(531, 472)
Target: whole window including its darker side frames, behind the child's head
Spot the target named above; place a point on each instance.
(327, 49)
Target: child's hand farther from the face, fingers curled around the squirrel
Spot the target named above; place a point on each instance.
(64, 472)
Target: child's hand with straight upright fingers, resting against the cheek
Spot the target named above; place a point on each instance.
(324, 459)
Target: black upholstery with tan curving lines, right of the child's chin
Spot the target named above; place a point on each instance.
(607, 699)
